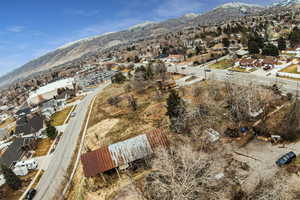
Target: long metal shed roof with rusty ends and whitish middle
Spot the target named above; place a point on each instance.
(115, 155)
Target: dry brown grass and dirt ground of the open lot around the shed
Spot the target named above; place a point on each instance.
(113, 123)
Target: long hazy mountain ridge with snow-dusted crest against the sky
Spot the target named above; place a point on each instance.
(79, 48)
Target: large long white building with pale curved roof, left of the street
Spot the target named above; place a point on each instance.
(49, 91)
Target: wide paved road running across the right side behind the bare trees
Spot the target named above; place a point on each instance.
(286, 85)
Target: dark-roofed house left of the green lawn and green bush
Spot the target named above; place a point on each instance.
(29, 125)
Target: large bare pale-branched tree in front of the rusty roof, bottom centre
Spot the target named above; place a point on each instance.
(180, 175)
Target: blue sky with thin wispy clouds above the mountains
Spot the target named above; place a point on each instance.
(31, 28)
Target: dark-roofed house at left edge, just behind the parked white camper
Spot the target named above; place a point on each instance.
(17, 150)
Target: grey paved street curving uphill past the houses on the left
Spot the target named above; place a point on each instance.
(51, 181)
